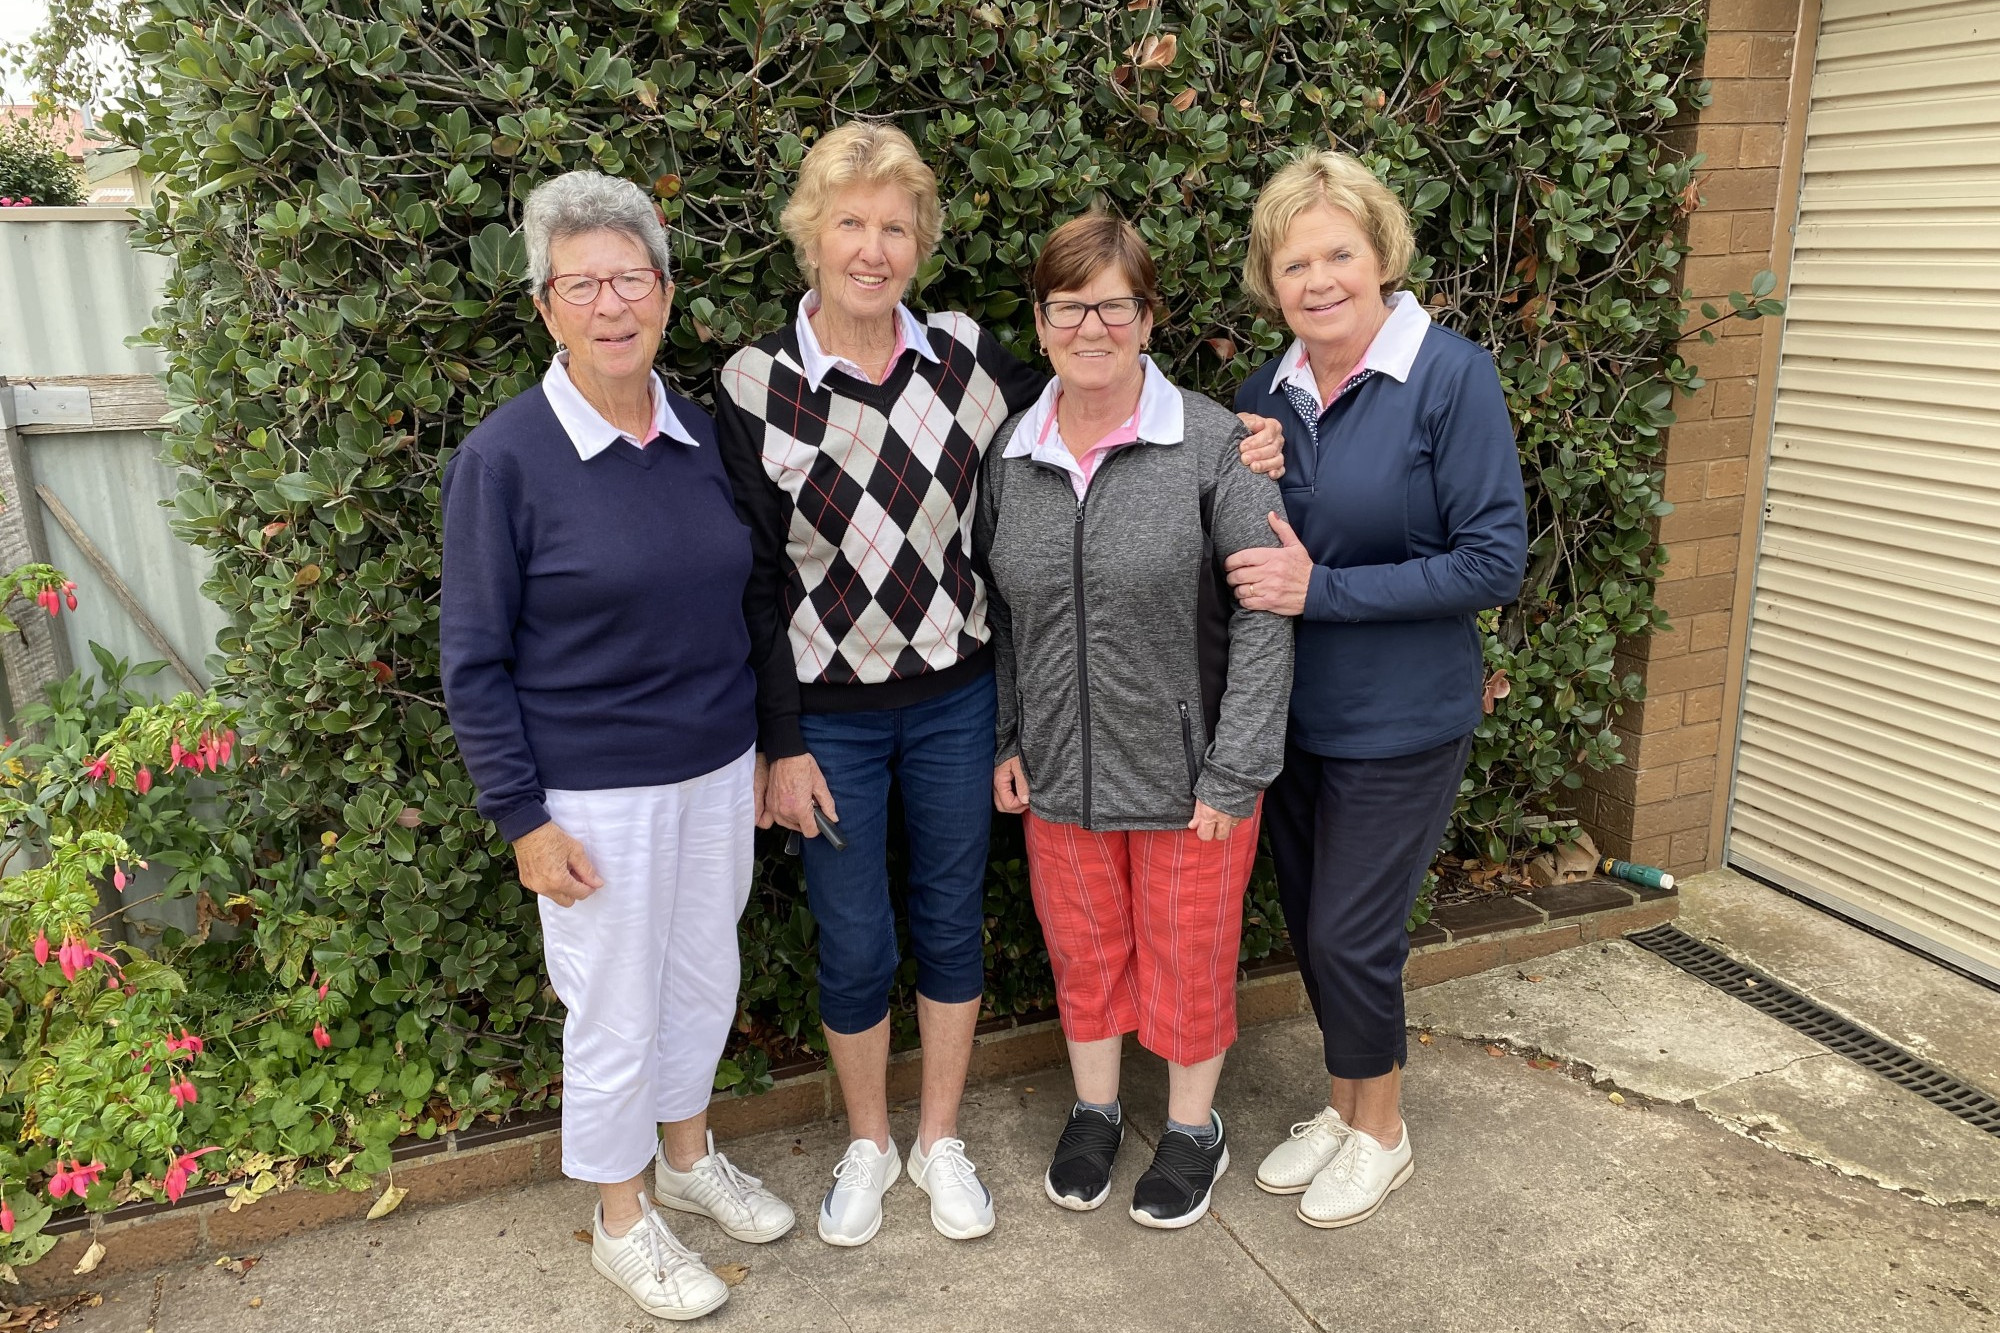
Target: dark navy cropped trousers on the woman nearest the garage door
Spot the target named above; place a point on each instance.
(1351, 842)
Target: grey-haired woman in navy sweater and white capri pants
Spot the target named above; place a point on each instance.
(597, 672)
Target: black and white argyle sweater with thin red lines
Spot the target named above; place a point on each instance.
(859, 503)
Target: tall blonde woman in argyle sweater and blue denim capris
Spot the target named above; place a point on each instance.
(855, 439)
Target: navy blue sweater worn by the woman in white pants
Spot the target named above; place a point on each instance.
(593, 617)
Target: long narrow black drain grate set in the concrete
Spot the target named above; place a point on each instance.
(1829, 1030)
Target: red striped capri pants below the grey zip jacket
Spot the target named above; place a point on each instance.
(1143, 932)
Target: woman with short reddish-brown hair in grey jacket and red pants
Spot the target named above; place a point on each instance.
(1141, 708)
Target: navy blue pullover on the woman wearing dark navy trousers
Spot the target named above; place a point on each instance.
(1413, 511)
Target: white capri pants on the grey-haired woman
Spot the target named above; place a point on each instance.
(647, 966)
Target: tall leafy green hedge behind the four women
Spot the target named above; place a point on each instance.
(347, 305)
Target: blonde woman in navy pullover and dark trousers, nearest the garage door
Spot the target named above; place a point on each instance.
(1405, 521)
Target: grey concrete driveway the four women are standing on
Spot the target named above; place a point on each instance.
(1537, 1206)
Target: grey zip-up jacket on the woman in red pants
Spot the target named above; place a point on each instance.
(1131, 682)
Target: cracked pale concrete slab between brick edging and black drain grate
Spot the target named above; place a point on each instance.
(1633, 1018)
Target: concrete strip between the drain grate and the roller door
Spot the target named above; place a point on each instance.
(1923, 1008)
